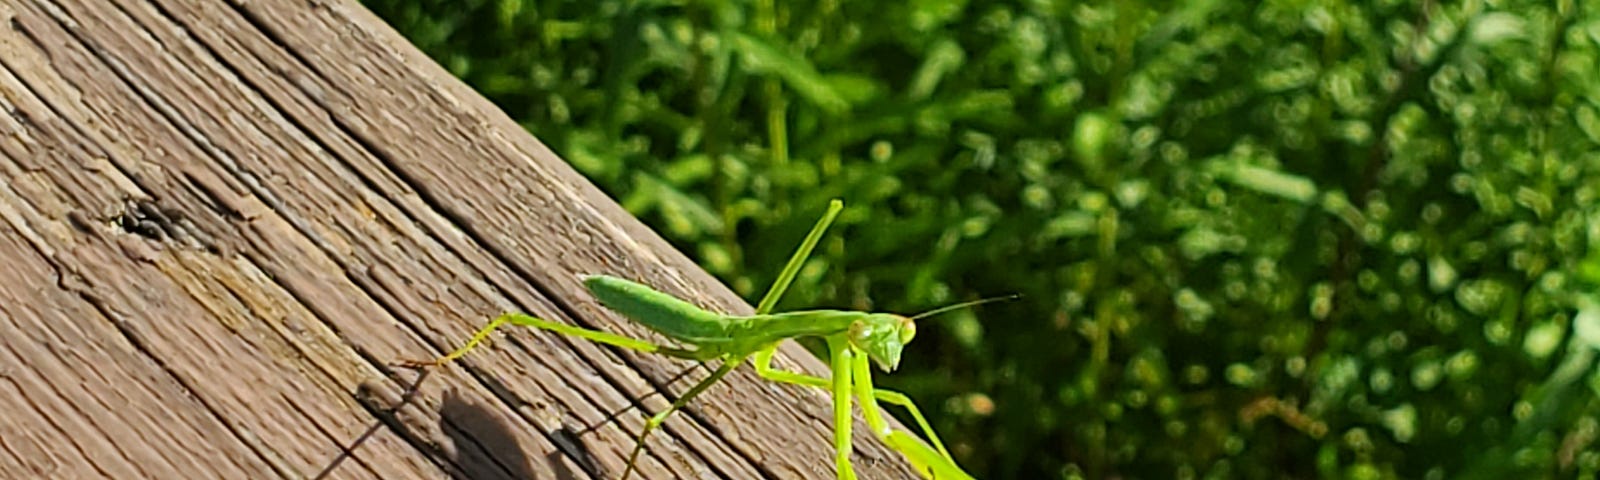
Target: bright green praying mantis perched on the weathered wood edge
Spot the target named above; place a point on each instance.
(854, 340)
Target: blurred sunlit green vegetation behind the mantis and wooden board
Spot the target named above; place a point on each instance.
(1294, 239)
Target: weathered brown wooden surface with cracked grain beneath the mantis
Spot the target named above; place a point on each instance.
(225, 220)
